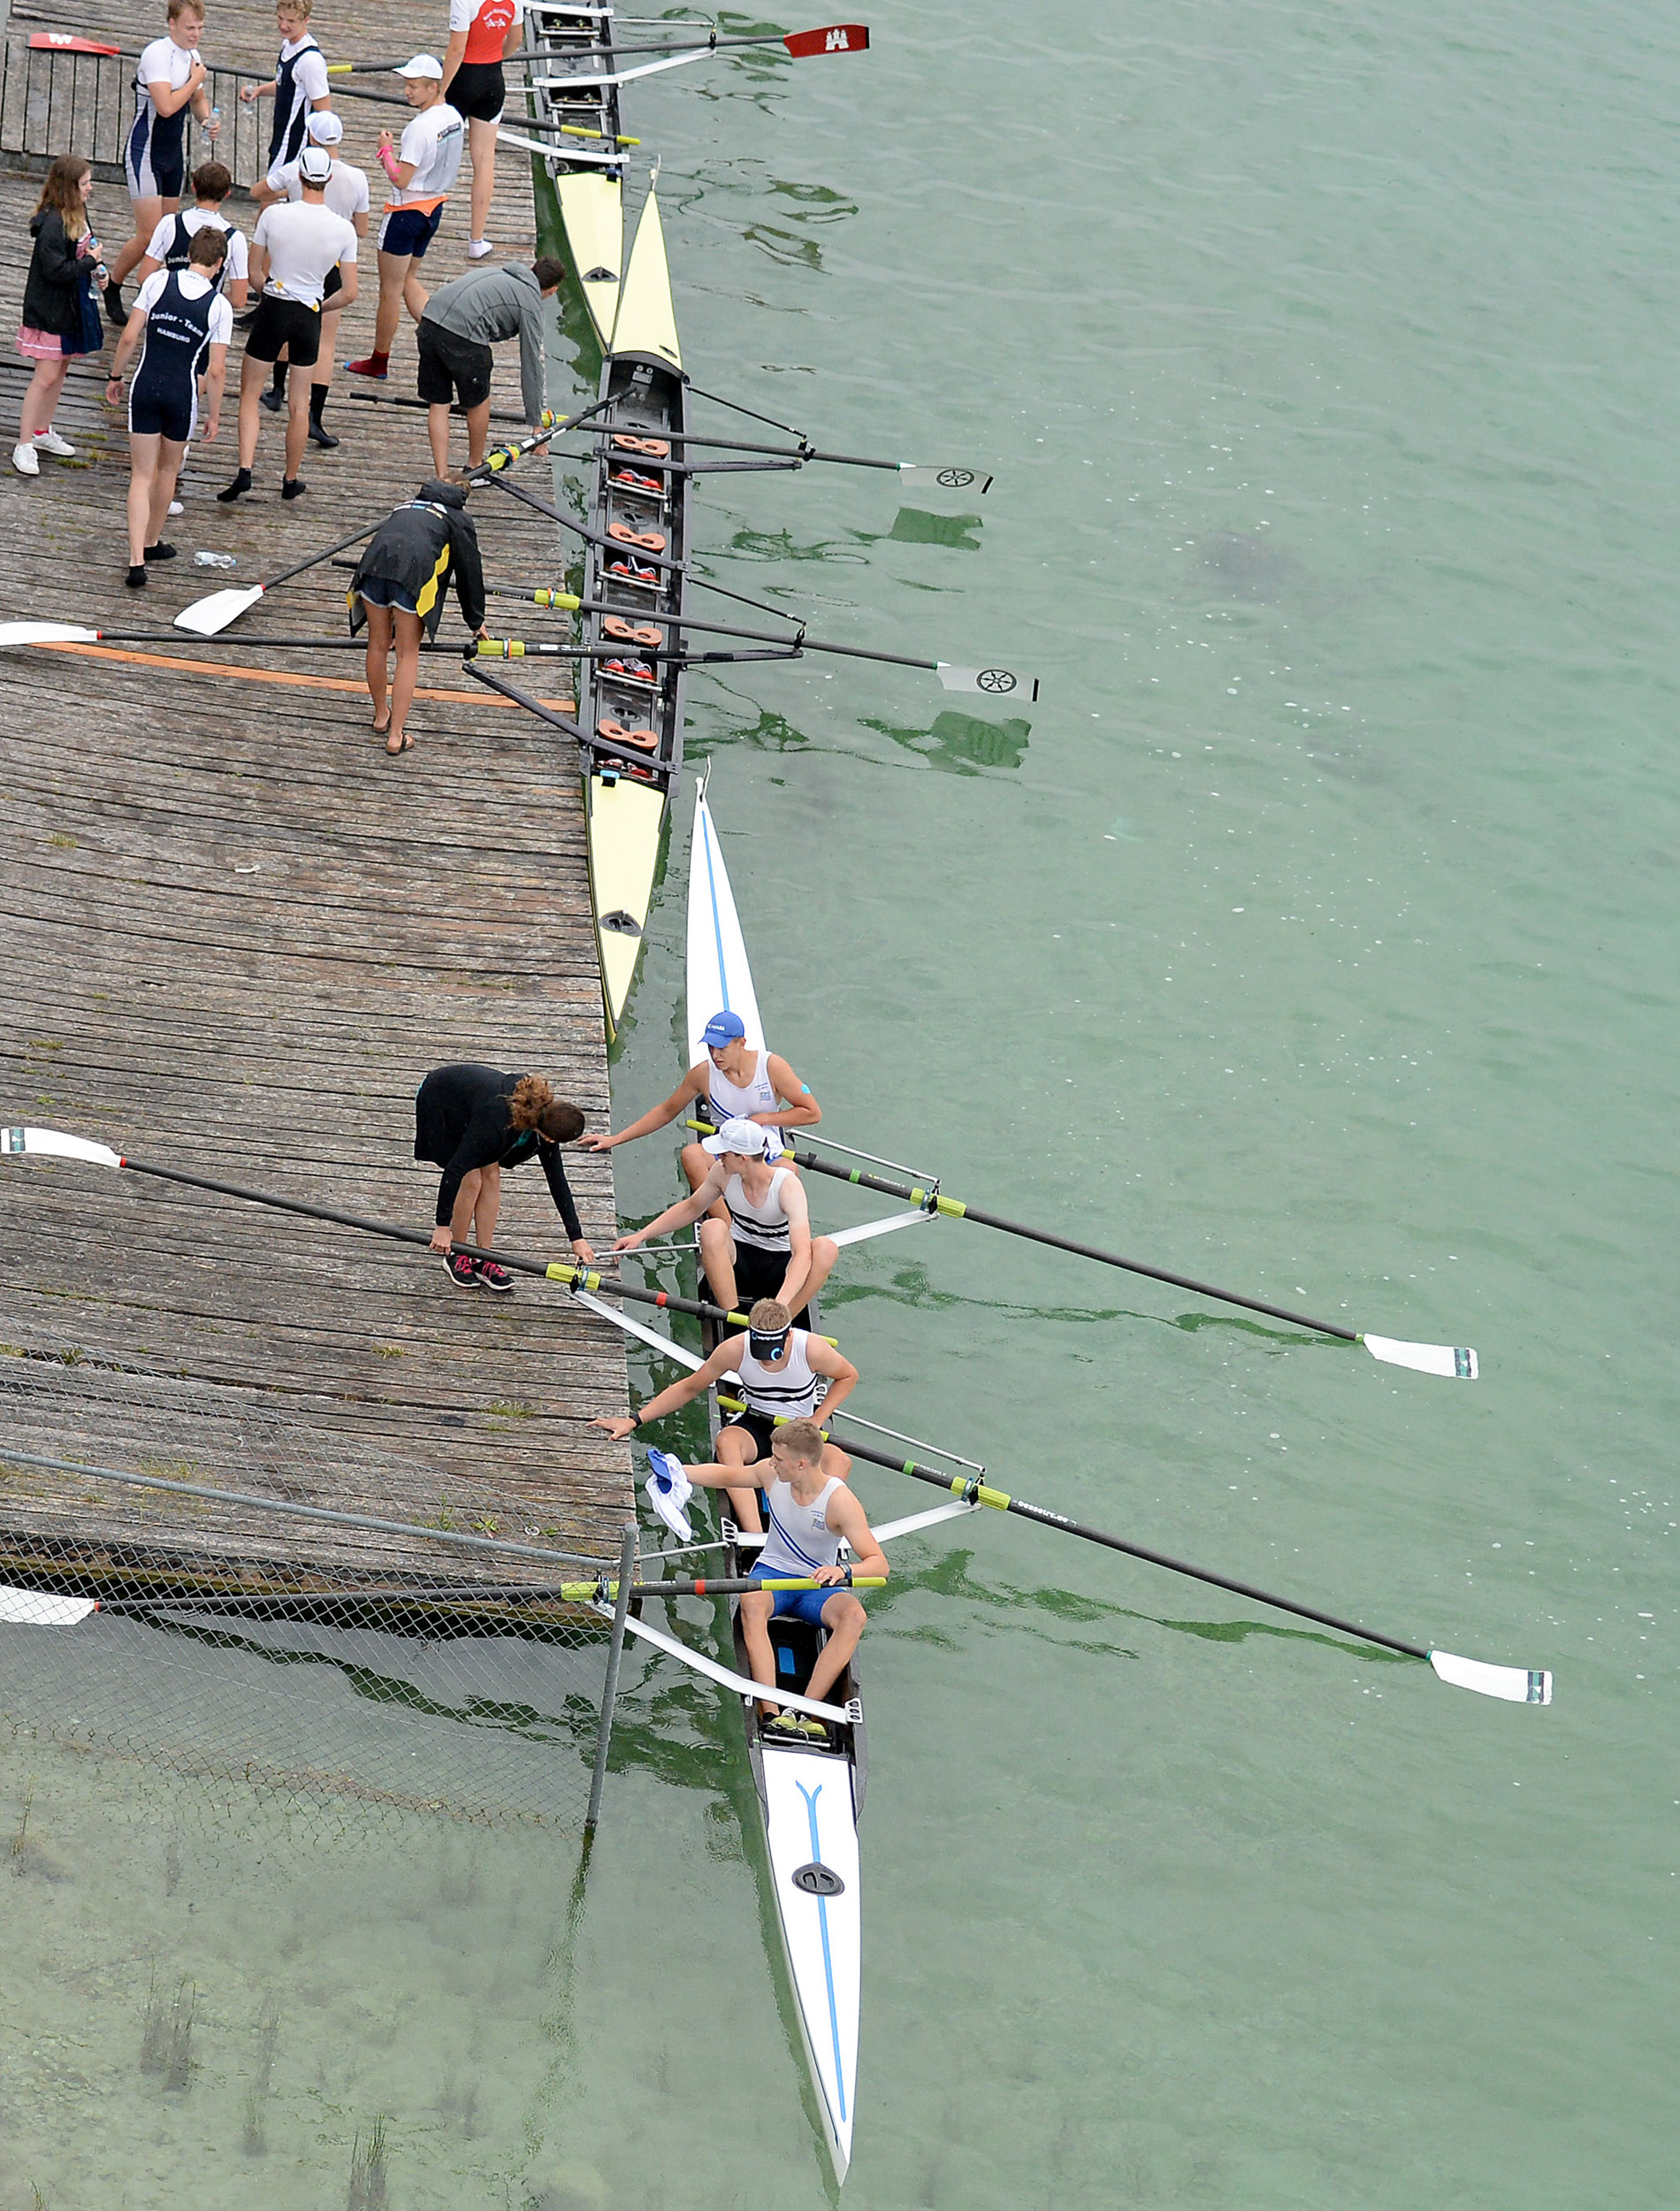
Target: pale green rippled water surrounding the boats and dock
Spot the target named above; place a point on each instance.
(1314, 934)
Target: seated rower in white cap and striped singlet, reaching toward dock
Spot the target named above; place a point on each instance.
(766, 1246)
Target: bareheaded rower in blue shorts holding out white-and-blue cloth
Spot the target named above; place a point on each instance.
(810, 1516)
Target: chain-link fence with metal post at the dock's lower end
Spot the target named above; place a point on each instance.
(185, 1589)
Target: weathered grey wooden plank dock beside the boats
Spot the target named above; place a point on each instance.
(233, 939)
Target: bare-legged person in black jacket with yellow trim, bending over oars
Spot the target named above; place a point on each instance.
(399, 589)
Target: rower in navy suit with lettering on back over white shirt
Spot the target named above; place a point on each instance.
(180, 322)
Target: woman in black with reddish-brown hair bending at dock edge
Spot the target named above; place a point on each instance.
(474, 1122)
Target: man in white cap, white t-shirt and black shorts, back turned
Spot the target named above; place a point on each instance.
(295, 251)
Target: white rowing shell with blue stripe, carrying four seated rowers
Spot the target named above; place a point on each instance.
(808, 1796)
